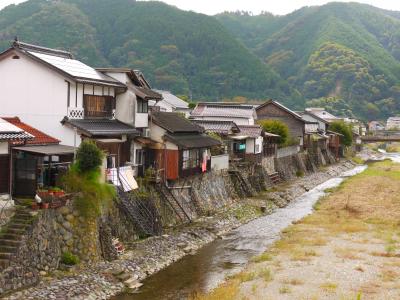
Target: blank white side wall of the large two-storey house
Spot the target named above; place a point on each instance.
(38, 96)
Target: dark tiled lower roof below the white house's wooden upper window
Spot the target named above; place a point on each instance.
(101, 127)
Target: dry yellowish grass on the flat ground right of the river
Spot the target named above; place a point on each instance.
(365, 209)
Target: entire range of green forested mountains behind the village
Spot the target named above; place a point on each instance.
(345, 56)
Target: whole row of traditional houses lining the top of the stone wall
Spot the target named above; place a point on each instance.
(51, 102)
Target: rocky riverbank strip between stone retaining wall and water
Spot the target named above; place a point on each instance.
(105, 279)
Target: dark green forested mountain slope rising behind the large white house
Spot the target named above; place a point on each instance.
(186, 52)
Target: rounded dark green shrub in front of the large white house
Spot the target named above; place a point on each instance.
(89, 157)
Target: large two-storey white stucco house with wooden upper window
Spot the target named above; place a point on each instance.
(73, 101)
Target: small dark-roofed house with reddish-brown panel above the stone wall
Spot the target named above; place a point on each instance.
(178, 147)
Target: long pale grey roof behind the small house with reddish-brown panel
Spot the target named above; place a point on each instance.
(223, 110)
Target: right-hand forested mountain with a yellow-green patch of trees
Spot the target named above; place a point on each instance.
(342, 55)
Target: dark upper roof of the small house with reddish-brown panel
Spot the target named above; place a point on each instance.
(175, 122)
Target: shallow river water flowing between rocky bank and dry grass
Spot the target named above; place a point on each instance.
(211, 264)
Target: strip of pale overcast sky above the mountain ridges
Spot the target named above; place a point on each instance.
(279, 7)
